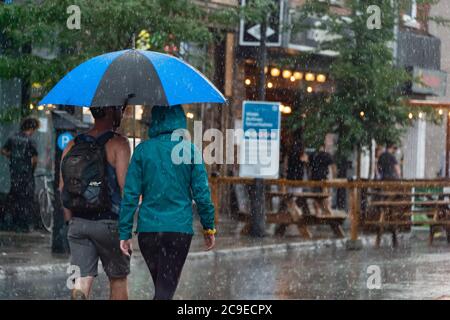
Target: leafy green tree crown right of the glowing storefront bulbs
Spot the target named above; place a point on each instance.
(368, 100)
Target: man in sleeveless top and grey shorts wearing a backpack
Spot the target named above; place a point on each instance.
(93, 170)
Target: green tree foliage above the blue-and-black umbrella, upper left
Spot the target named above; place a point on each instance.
(106, 25)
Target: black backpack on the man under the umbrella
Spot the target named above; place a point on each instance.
(83, 171)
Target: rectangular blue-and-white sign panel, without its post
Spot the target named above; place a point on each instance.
(259, 155)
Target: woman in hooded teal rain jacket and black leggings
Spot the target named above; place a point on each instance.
(168, 173)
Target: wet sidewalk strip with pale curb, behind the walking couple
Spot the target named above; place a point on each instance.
(26, 253)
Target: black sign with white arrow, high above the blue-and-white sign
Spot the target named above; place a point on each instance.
(250, 32)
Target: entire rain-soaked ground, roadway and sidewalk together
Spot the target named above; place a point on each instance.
(241, 267)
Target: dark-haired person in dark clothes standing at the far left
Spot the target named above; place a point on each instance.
(22, 153)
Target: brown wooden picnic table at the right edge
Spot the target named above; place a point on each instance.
(396, 212)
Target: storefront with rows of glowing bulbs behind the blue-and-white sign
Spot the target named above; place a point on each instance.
(294, 77)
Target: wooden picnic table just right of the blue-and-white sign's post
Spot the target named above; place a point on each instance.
(294, 209)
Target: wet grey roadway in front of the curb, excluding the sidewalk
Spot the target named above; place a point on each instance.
(412, 271)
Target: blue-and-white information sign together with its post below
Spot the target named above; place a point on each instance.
(259, 155)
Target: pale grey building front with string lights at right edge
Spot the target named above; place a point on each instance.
(424, 147)
